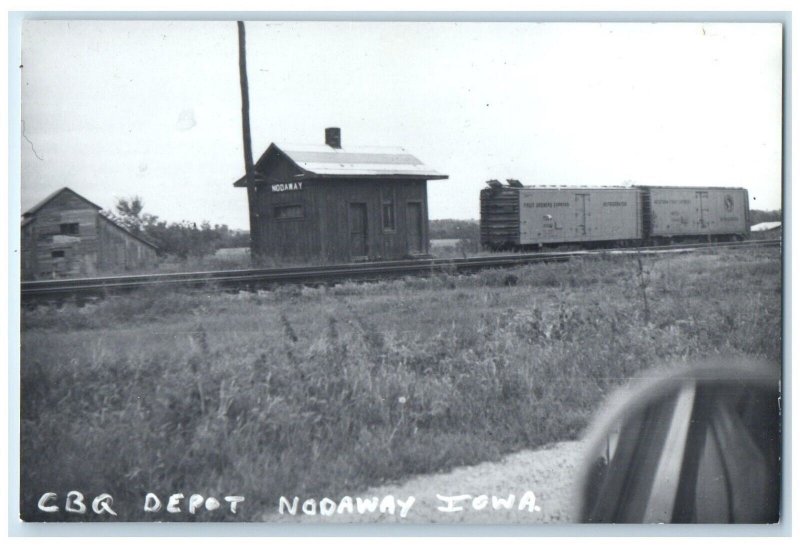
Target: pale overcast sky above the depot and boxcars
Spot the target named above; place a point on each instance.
(115, 109)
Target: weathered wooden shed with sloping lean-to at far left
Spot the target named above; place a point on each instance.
(66, 235)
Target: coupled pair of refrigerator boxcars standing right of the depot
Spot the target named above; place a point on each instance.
(519, 217)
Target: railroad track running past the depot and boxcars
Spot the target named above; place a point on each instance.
(248, 279)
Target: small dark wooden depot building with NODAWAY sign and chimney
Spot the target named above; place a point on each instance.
(327, 203)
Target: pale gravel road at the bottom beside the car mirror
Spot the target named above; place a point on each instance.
(547, 473)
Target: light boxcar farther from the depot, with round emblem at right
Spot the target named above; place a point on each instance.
(692, 211)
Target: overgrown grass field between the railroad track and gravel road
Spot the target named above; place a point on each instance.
(322, 391)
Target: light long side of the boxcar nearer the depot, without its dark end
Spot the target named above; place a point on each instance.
(578, 214)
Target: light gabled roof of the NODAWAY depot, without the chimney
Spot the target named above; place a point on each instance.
(318, 161)
